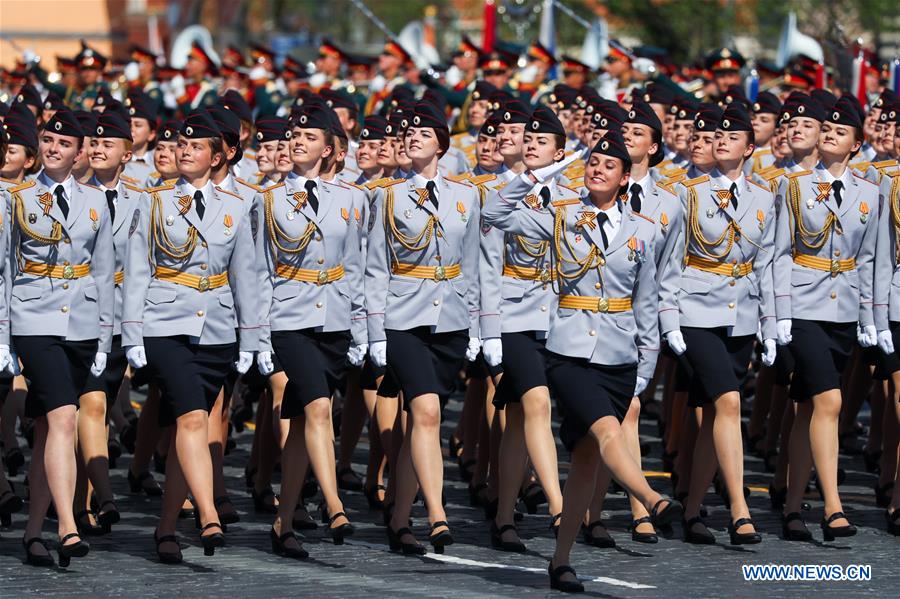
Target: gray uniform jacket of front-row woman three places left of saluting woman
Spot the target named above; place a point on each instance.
(333, 242)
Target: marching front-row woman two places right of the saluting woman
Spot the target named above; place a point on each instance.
(824, 267)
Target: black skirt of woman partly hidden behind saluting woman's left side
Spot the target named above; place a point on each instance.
(524, 367)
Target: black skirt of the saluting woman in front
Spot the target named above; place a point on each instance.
(587, 392)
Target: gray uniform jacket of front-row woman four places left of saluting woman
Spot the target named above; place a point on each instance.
(224, 244)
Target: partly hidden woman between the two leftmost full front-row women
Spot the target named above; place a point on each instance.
(109, 154)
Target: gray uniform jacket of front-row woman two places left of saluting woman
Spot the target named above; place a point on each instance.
(401, 302)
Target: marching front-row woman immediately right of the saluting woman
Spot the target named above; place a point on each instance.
(726, 294)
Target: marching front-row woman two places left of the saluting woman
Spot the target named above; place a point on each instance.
(422, 300)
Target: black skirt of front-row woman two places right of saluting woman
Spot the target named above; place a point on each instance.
(821, 351)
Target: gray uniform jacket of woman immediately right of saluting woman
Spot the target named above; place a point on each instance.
(743, 304)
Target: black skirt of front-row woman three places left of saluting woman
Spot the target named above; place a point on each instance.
(315, 364)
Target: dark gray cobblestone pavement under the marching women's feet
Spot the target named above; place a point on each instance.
(124, 563)
